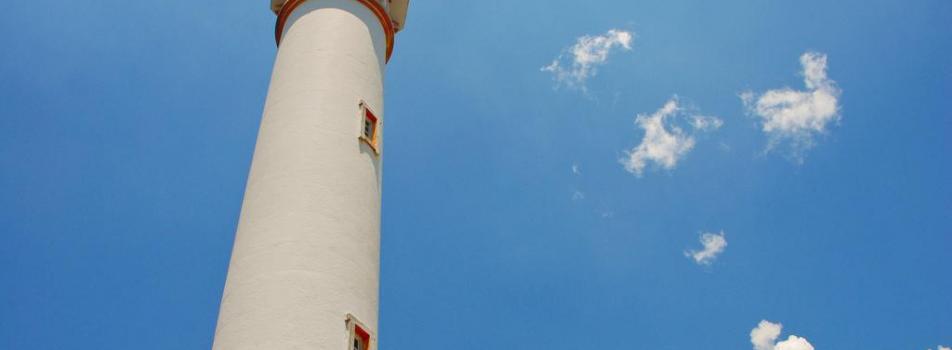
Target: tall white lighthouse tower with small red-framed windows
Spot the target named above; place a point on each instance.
(304, 272)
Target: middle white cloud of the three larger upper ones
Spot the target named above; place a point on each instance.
(664, 143)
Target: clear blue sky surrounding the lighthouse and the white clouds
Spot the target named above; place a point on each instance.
(127, 128)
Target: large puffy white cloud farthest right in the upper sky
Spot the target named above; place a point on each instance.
(797, 117)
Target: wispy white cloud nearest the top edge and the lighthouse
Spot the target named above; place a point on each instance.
(578, 63)
